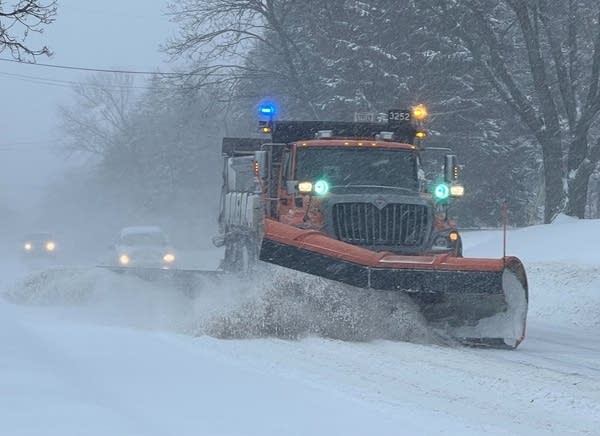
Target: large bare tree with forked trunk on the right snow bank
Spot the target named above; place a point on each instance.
(543, 59)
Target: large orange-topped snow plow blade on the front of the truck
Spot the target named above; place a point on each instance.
(480, 302)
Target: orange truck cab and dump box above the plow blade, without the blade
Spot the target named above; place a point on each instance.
(360, 183)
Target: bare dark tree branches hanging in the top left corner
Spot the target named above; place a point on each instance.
(19, 20)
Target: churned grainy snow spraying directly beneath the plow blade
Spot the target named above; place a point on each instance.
(293, 305)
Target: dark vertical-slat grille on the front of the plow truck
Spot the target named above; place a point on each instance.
(394, 224)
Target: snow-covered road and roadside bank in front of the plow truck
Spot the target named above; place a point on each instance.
(121, 365)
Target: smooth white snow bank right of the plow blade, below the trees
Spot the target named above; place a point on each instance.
(562, 261)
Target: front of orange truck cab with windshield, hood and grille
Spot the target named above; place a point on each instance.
(365, 193)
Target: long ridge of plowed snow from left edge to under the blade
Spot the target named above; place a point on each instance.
(275, 303)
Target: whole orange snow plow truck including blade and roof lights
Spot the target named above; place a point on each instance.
(349, 202)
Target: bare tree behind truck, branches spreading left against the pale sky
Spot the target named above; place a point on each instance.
(219, 37)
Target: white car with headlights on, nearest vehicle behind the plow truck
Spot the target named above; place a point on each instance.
(144, 246)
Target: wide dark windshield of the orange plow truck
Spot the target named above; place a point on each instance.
(358, 166)
